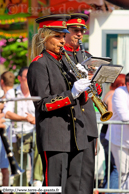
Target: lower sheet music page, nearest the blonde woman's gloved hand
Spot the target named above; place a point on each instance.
(107, 73)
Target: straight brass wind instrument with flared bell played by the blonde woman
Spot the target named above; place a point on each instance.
(105, 115)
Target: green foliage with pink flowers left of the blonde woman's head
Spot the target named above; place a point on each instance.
(15, 54)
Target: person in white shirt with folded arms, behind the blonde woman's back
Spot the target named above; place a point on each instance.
(25, 111)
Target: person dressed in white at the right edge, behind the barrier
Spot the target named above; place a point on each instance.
(120, 106)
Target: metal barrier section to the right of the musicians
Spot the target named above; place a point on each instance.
(108, 190)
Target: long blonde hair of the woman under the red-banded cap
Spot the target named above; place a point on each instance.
(39, 39)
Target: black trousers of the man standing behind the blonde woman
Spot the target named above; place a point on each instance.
(88, 167)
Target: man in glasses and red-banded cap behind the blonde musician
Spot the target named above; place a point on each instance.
(77, 27)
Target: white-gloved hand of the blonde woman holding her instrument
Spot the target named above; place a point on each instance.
(80, 86)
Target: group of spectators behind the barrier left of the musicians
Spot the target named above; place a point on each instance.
(23, 115)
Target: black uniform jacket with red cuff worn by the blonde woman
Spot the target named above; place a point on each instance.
(59, 118)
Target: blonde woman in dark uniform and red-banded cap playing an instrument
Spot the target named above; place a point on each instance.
(60, 127)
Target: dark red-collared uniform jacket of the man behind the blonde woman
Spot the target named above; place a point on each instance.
(88, 109)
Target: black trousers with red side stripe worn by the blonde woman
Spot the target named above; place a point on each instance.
(63, 169)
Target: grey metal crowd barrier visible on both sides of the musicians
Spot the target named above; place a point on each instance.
(96, 189)
